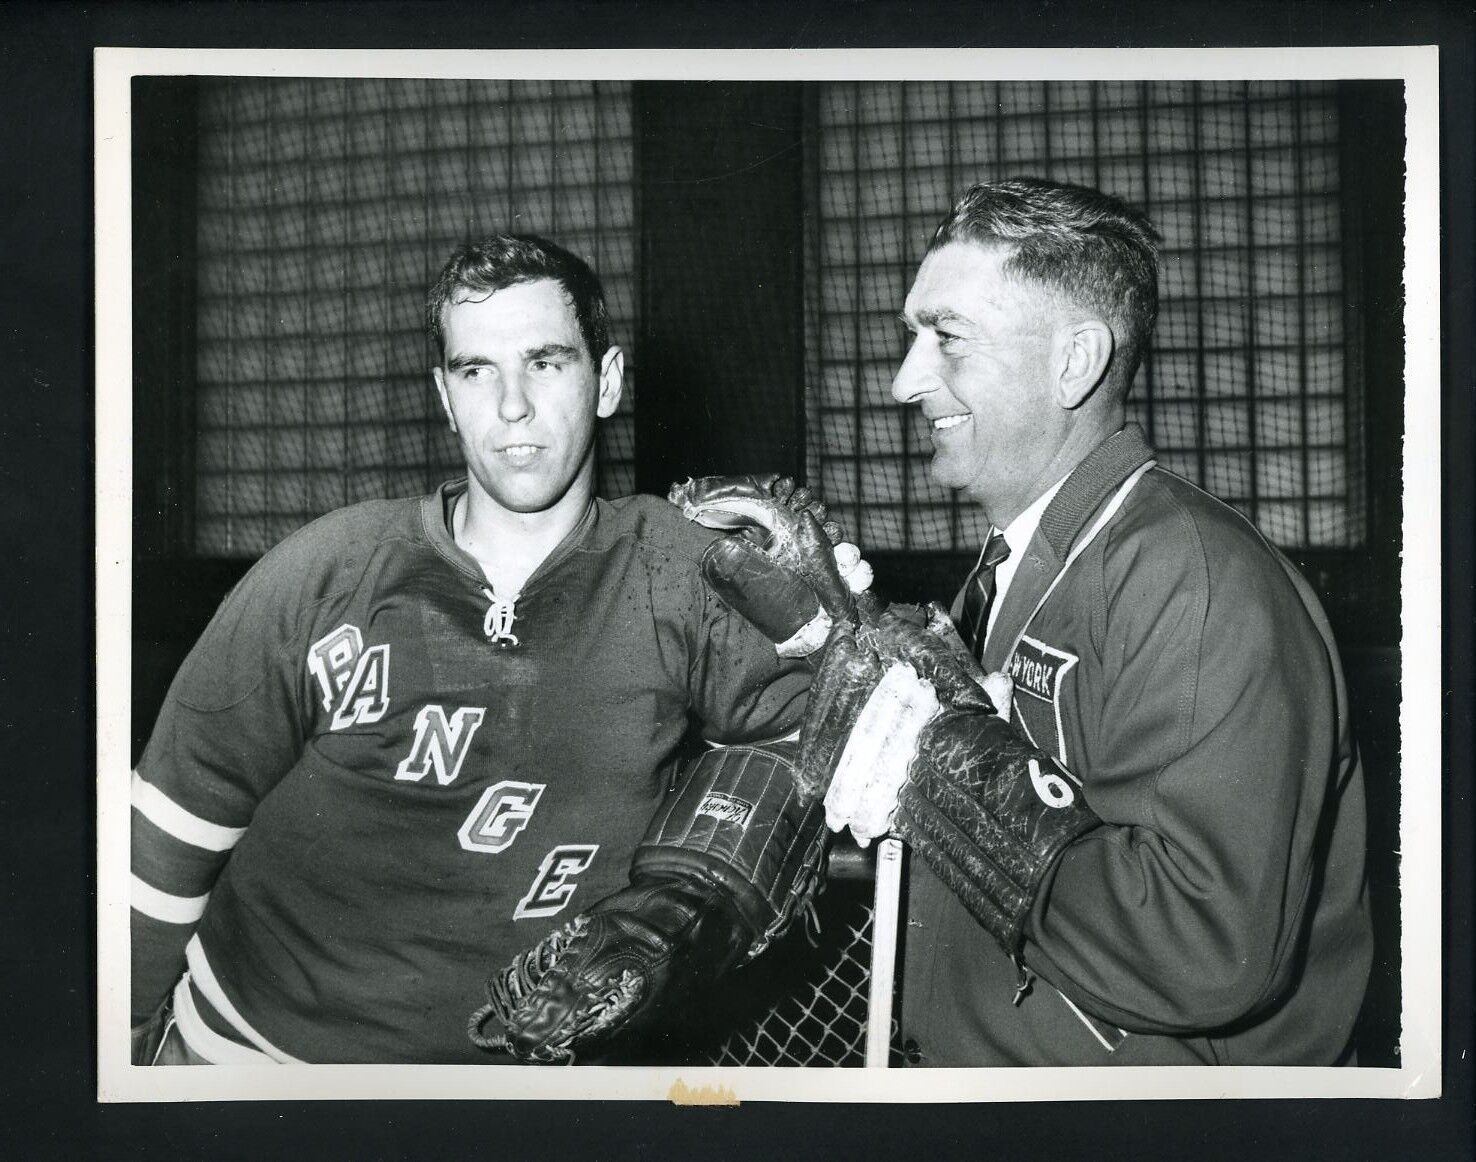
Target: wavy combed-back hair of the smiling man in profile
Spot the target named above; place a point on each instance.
(1075, 241)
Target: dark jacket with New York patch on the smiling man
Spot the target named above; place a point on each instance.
(1183, 671)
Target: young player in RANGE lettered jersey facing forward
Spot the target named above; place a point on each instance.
(424, 735)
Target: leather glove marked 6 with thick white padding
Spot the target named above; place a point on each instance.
(903, 738)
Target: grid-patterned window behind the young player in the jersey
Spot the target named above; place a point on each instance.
(327, 209)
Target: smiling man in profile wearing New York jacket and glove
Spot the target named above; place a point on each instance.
(1140, 839)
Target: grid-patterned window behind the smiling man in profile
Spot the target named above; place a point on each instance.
(1245, 391)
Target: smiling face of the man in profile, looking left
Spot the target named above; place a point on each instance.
(981, 370)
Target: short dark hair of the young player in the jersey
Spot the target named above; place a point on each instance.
(506, 261)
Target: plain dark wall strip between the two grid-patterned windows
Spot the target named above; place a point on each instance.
(723, 277)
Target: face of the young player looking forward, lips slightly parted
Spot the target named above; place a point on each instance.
(523, 393)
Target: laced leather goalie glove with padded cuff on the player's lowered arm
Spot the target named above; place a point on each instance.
(727, 864)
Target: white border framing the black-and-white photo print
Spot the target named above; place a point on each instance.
(1421, 761)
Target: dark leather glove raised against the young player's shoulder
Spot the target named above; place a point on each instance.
(789, 569)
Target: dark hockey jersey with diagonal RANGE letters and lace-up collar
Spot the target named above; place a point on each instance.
(374, 782)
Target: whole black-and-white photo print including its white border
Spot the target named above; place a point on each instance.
(885, 577)
